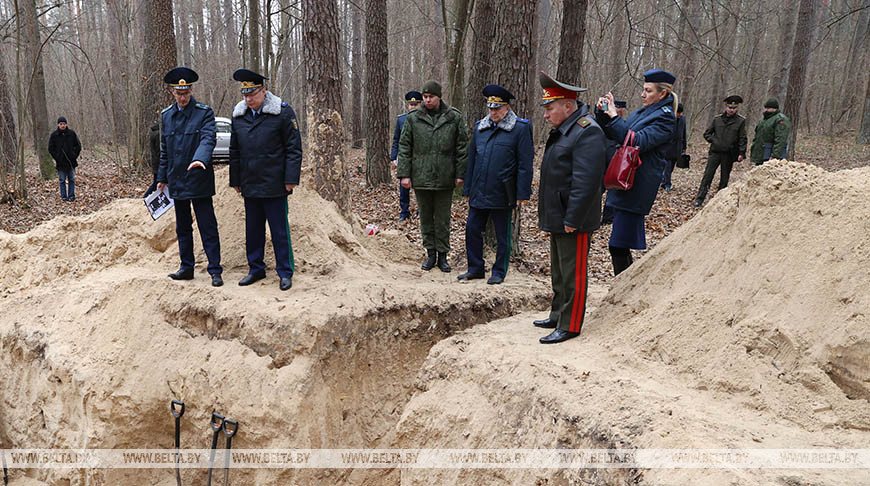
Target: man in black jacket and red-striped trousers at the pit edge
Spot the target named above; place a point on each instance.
(569, 202)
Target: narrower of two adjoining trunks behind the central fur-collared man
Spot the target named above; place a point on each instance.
(483, 28)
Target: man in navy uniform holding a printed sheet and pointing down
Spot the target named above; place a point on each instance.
(187, 139)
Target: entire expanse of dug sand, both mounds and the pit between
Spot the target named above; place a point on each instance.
(745, 329)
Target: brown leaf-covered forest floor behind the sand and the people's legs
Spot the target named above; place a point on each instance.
(99, 180)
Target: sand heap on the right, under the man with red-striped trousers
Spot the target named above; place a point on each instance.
(747, 328)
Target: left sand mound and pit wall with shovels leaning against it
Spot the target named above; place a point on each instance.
(95, 340)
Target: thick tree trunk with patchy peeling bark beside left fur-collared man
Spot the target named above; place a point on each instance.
(325, 128)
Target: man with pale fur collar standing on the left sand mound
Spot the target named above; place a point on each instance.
(265, 163)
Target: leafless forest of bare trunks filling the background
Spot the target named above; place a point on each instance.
(345, 65)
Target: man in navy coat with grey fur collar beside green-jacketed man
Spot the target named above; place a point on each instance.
(498, 176)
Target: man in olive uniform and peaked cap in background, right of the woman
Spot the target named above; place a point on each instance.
(726, 134)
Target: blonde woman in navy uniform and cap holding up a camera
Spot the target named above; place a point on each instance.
(653, 125)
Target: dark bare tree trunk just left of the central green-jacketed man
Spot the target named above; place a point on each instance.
(377, 117)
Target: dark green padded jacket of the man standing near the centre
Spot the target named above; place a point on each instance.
(433, 148)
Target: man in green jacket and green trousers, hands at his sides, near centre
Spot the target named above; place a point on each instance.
(432, 155)
